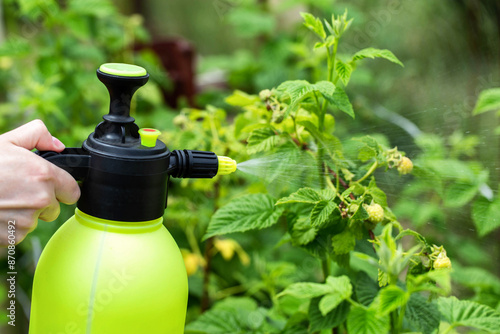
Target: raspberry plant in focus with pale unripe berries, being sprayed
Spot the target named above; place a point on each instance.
(335, 211)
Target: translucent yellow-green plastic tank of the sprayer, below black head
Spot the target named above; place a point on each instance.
(98, 276)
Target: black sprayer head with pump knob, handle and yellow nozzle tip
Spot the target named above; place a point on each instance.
(125, 170)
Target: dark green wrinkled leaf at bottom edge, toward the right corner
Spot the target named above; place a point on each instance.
(421, 314)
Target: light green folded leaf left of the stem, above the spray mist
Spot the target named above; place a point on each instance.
(298, 90)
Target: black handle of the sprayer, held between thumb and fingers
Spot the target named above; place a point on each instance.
(75, 161)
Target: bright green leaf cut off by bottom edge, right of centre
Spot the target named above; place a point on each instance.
(362, 320)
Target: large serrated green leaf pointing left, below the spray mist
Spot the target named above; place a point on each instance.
(251, 212)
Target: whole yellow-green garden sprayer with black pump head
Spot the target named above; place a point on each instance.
(113, 267)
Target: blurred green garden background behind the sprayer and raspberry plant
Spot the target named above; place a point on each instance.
(49, 51)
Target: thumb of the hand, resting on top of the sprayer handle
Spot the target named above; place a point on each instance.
(34, 135)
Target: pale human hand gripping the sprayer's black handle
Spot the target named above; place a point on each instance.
(30, 186)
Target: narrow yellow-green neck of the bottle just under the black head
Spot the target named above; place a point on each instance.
(118, 226)
